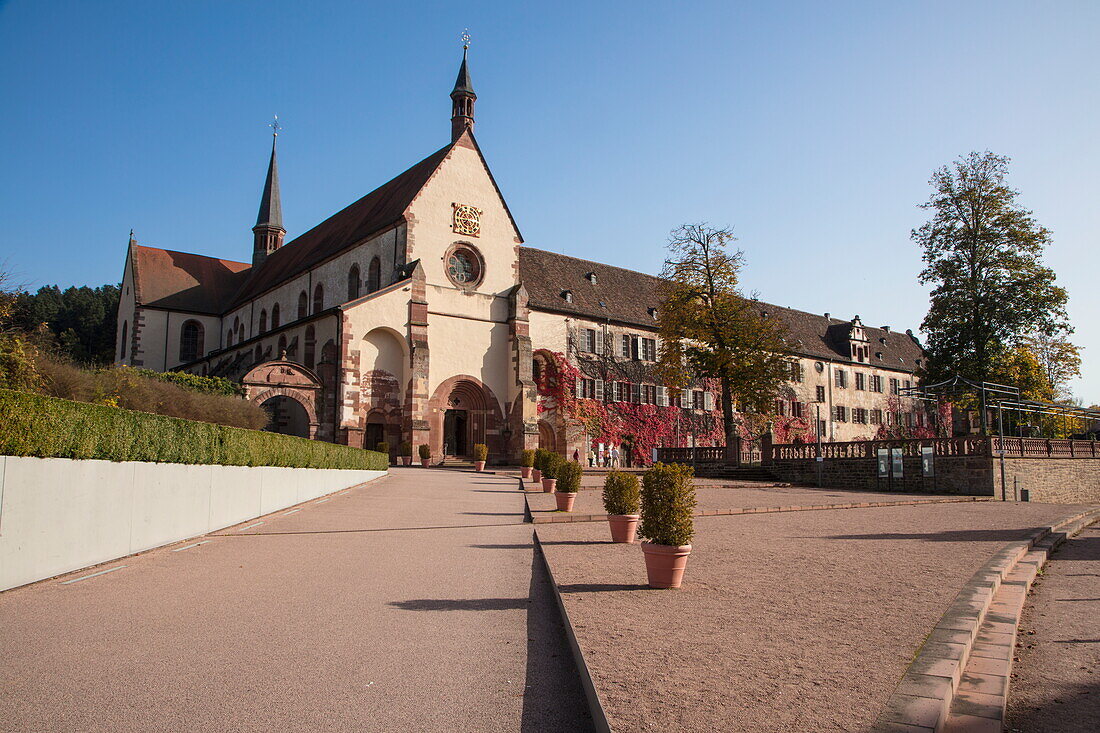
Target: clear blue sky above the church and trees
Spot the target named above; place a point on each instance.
(810, 127)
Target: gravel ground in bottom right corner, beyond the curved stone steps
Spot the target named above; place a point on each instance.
(1057, 682)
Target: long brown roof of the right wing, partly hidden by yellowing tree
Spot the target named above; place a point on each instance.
(629, 297)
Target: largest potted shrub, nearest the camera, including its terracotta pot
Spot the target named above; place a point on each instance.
(668, 502)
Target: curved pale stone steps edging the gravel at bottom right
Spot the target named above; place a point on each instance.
(966, 661)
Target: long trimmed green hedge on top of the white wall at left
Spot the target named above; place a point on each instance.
(49, 428)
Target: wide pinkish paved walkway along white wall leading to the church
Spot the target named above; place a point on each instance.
(414, 604)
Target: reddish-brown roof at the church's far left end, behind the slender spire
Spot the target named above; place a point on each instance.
(182, 281)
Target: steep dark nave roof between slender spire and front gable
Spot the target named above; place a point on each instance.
(373, 214)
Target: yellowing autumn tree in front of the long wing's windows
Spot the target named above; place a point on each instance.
(709, 330)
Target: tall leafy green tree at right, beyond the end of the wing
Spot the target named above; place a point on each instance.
(983, 255)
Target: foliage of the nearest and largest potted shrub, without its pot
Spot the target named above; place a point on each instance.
(668, 502)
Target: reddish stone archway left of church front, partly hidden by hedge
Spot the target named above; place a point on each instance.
(290, 391)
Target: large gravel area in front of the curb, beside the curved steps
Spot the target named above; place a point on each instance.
(800, 621)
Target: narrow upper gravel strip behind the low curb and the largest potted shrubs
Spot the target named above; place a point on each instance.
(591, 502)
